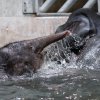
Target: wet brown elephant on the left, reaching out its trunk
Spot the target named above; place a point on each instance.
(26, 56)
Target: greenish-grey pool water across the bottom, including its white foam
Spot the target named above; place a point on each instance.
(55, 82)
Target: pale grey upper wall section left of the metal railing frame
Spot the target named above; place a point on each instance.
(10, 8)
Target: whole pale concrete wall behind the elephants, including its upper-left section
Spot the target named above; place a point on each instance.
(15, 26)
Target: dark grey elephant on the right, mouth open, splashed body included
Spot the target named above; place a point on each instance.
(85, 27)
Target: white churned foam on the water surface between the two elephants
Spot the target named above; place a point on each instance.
(51, 68)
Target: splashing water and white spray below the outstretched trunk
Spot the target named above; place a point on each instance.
(58, 60)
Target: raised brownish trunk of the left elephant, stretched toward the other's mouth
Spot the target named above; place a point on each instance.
(47, 40)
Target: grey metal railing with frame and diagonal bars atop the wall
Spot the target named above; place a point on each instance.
(41, 7)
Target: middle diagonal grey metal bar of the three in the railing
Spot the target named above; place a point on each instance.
(67, 5)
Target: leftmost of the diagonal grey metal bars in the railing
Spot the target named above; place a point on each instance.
(47, 4)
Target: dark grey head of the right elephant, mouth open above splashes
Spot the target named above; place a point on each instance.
(83, 25)
